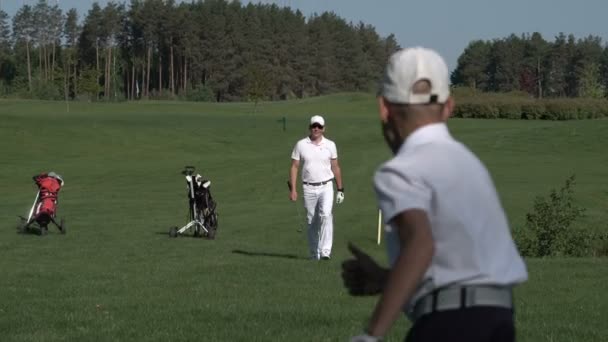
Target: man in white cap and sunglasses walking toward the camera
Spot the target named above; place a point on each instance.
(319, 159)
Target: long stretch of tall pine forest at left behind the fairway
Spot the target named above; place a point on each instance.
(211, 50)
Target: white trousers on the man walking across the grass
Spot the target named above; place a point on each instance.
(318, 201)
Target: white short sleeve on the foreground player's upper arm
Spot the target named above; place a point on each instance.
(398, 191)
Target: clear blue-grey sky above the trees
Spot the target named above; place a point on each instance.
(444, 25)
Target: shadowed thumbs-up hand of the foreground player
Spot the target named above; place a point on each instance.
(362, 276)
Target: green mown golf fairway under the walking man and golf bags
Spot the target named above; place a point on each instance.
(117, 276)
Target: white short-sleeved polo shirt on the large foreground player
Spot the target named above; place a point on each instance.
(437, 174)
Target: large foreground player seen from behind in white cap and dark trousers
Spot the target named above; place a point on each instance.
(453, 260)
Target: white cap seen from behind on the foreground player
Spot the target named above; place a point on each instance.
(408, 66)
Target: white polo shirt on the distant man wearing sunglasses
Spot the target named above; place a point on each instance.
(315, 159)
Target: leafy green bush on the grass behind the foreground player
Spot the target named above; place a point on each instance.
(548, 230)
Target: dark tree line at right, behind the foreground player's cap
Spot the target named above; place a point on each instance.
(565, 67)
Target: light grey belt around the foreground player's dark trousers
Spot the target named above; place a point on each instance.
(459, 297)
